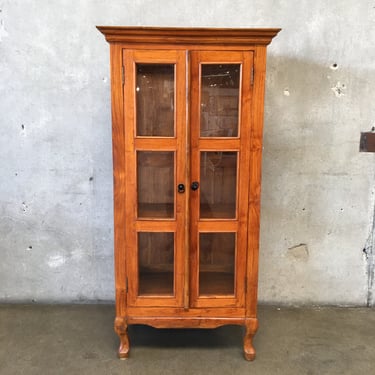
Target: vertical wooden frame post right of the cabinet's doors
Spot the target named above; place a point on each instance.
(255, 180)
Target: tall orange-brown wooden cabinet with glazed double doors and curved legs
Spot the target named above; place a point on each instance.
(187, 118)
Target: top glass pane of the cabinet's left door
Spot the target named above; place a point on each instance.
(155, 100)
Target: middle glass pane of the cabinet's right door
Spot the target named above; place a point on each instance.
(218, 185)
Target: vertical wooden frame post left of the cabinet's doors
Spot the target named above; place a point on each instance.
(118, 145)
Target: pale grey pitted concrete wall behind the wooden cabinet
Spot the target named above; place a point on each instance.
(56, 232)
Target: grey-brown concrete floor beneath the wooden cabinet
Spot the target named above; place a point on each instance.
(79, 339)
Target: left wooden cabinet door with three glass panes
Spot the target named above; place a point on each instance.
(155, 162)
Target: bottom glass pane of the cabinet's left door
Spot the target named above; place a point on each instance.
(155, 263)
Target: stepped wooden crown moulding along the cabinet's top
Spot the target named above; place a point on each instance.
(179, 35)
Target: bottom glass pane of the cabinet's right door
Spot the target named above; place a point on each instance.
(216, 263)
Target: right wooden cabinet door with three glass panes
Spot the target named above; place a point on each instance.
(220, 135)
